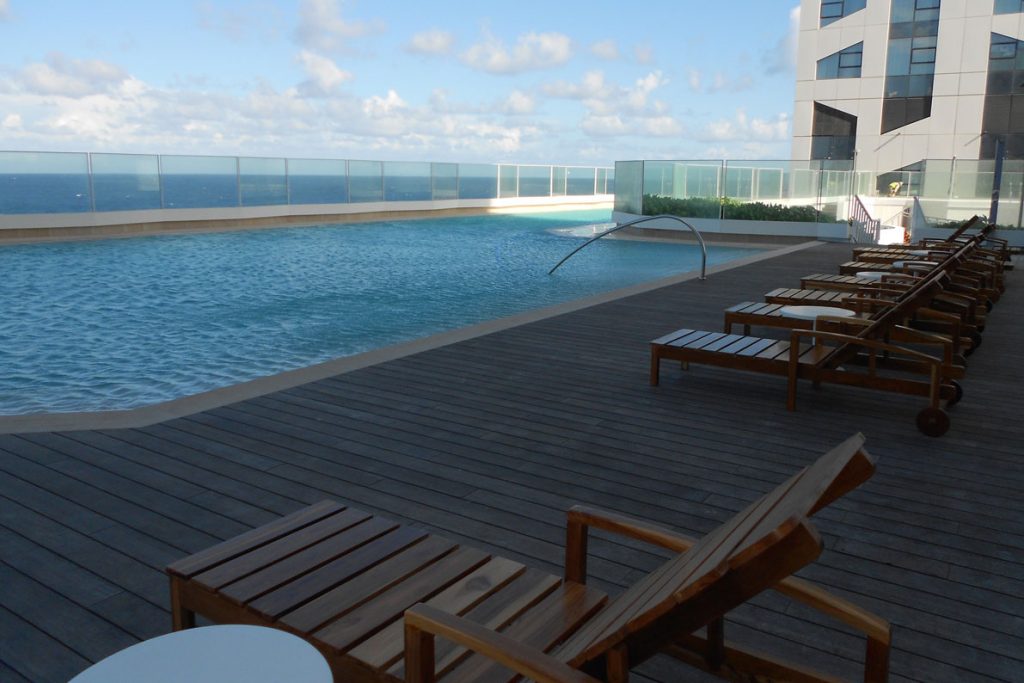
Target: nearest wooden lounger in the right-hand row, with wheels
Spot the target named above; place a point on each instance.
(865, 358)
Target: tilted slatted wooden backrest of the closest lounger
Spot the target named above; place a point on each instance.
(748, 554)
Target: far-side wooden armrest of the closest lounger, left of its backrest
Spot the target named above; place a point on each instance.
(581, 518)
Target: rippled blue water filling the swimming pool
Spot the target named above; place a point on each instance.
(116, 324)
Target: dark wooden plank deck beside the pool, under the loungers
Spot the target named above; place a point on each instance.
(490, 441)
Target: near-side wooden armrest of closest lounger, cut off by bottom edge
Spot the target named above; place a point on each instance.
(423, 623)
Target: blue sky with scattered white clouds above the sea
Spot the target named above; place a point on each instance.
(530, 81)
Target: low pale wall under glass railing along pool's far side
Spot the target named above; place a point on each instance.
(44, 227)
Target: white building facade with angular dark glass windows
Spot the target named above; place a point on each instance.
(887, 84)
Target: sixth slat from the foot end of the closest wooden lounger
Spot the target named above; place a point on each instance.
(342, 634)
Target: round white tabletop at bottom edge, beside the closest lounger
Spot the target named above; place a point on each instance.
(215, 655)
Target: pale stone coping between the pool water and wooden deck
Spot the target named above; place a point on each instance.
(146, 416)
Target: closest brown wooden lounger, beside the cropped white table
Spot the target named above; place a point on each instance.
(345, 579)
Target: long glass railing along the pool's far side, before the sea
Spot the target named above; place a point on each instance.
(71, 183)
